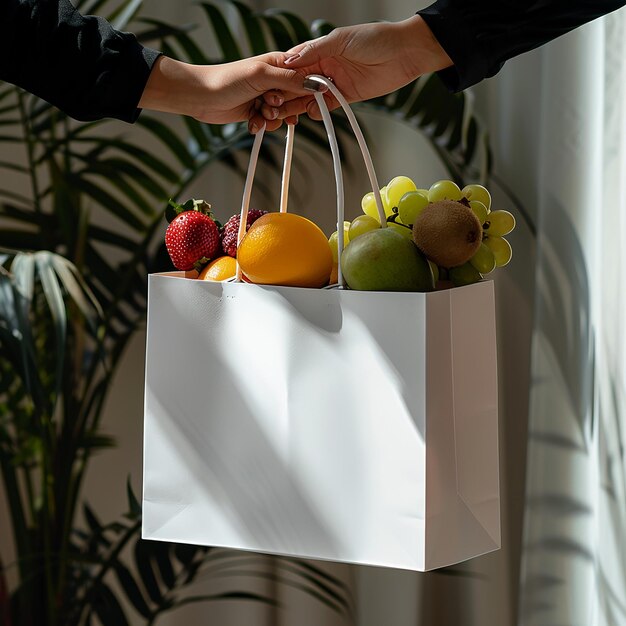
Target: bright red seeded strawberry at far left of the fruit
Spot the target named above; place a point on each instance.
(191, 236)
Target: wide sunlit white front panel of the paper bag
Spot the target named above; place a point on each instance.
(295, 424)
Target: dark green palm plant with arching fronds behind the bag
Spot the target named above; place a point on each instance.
(72, 293)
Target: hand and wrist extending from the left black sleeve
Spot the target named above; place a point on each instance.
(246, 90)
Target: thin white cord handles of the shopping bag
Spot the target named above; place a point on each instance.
(334, 148)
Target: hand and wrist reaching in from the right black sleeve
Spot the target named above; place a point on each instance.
(365, 61)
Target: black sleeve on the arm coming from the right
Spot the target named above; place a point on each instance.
(480, 35)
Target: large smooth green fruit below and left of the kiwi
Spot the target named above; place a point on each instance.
(384, 260)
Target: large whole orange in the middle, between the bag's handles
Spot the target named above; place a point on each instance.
(285, 249)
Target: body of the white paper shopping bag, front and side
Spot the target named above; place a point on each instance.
(332, 424)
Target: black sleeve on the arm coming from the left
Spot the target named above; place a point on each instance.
(81, 64)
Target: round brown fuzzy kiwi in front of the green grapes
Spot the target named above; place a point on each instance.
(448, 233)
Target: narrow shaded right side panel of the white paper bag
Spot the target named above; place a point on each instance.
(459, 527)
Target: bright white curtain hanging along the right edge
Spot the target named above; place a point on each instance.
(574, 548)
